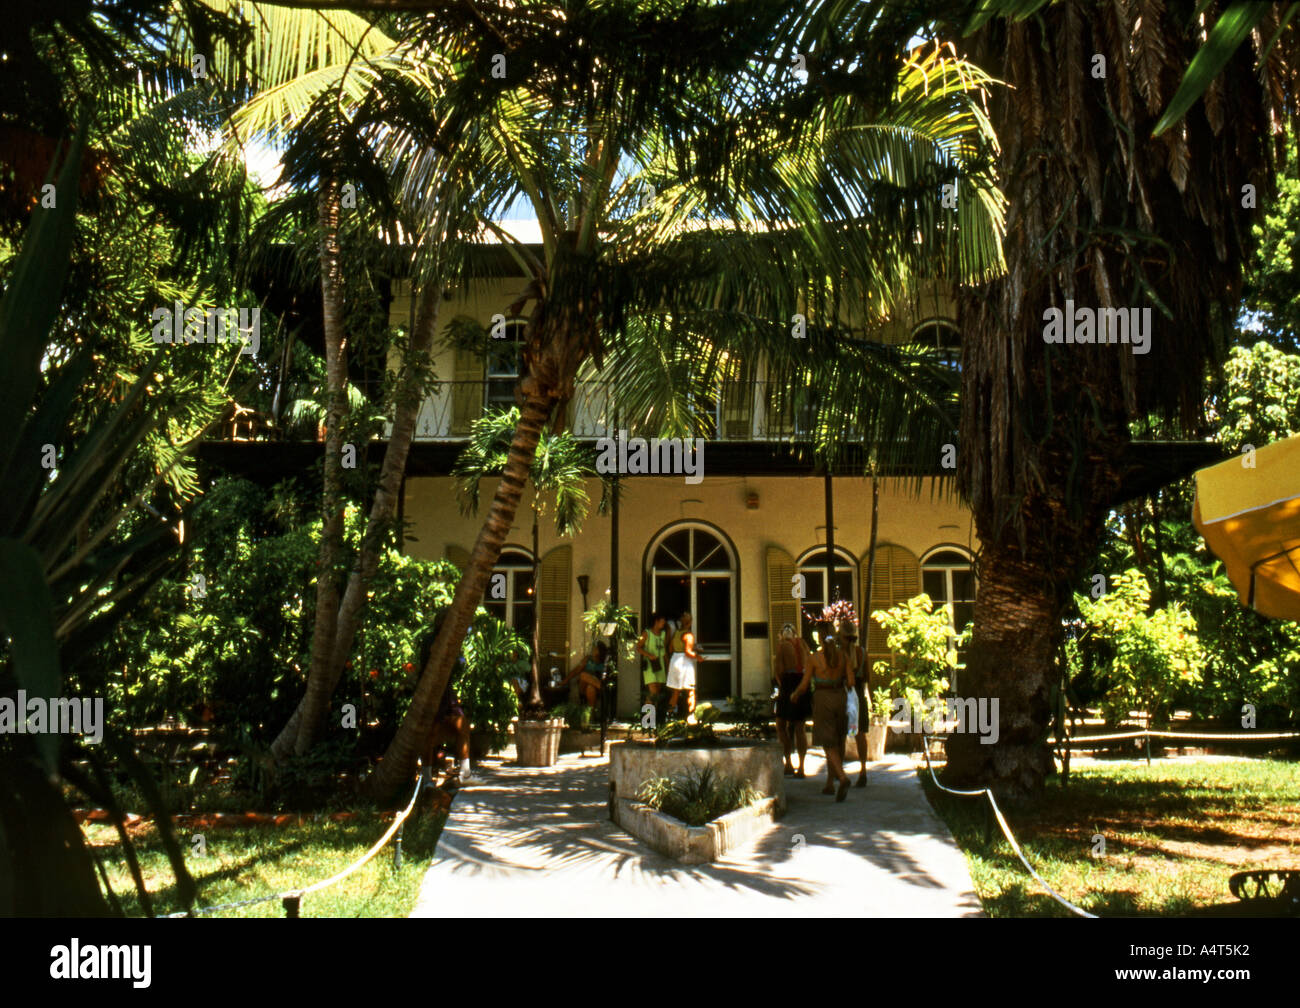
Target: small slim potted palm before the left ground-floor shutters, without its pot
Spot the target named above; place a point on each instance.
(561, 469)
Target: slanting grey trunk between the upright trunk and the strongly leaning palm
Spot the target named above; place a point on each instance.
(379, 522)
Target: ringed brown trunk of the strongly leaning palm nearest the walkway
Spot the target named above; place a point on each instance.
(398, 764)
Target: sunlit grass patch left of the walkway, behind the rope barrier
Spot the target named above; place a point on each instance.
(246, 862)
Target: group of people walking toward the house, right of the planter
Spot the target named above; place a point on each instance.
(817, 683)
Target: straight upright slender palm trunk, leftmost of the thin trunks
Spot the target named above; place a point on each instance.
(317, 700)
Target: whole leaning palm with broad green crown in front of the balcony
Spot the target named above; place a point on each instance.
(703, 201)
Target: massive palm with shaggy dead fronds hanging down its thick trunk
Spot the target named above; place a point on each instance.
(1108, 215)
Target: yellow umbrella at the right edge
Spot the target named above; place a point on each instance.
(1250, 516)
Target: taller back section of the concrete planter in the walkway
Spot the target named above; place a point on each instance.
(759, 763)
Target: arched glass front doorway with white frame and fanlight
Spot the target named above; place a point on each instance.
(691, 568)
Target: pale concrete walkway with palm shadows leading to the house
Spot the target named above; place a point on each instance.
(539, 843)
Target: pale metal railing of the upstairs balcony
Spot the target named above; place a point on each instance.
(744, 412)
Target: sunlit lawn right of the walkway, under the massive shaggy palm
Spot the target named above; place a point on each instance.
(1175, 833)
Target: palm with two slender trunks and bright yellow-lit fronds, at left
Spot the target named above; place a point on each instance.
(310, 73)
